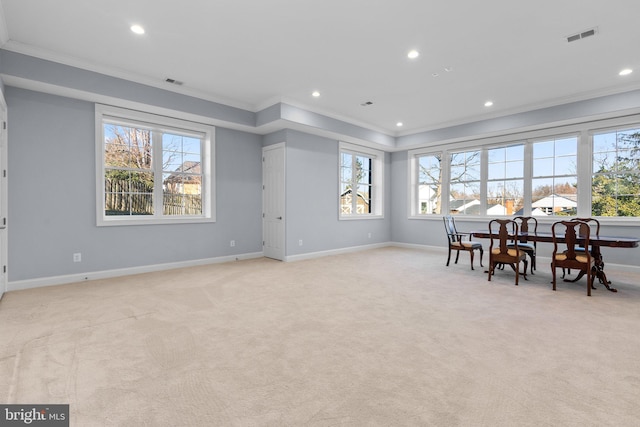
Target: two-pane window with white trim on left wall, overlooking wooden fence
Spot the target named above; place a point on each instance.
(152, 169)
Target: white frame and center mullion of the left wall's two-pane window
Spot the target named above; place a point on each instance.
(110, 114)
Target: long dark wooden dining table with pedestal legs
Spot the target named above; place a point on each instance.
(596, 242)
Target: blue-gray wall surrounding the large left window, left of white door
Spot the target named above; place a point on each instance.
(52, 200)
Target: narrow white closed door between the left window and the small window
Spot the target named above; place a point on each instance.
(273, 201)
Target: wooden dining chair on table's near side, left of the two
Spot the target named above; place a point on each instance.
(502, 232)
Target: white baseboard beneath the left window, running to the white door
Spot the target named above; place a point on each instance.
(105, 274)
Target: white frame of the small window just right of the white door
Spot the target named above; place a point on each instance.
(377, 183)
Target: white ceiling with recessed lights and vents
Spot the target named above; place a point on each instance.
(254, 53)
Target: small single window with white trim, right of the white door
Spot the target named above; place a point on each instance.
(361, 189)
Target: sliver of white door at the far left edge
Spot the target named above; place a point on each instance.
(3, 196)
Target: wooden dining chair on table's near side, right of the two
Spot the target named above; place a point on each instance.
(568, 254)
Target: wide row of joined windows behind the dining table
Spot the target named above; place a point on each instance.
(586, 169)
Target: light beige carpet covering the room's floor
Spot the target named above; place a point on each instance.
(387, 337)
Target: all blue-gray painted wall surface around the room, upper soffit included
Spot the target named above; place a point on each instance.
(52, 179)
